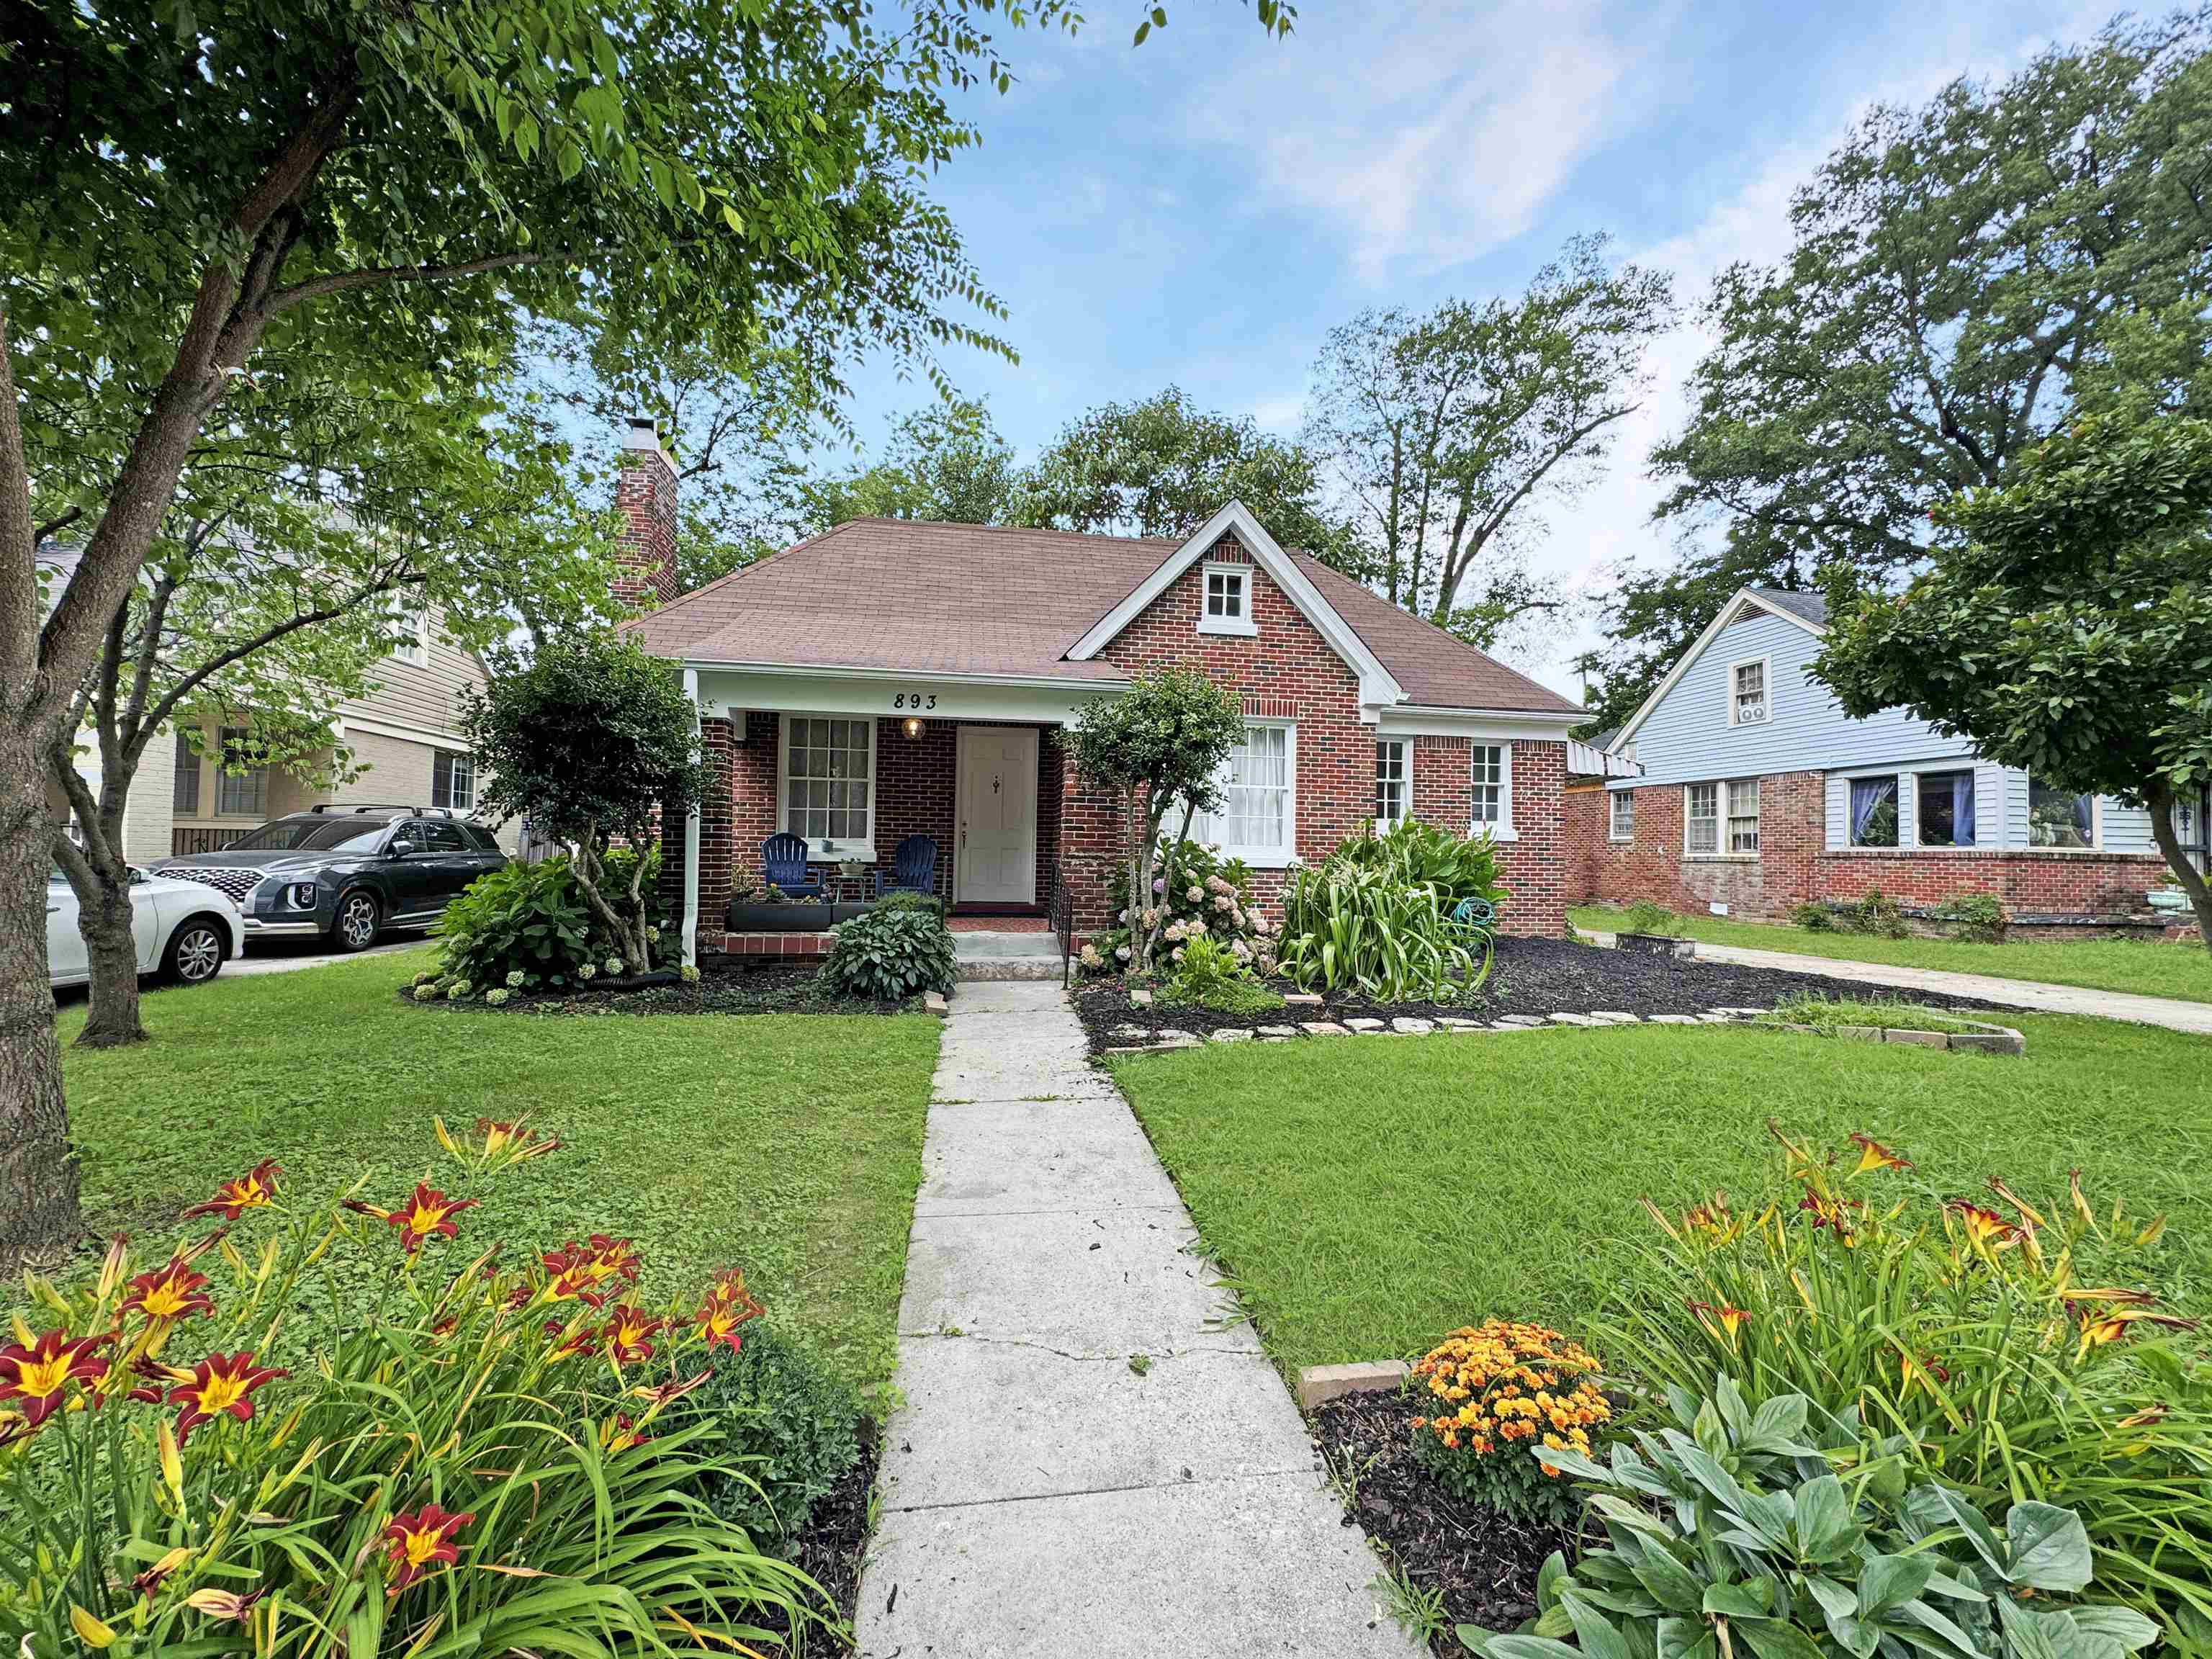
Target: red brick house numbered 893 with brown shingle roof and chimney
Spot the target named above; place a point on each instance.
(893, 678)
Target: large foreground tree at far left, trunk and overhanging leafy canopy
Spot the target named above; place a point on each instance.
(189, 187)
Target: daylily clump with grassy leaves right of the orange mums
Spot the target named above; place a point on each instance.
(2007, 1344)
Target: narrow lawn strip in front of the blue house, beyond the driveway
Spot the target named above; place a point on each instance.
(2149, 968)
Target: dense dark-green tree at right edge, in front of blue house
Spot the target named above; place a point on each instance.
(2072, 632)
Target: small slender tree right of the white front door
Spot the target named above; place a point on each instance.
(1160, 747)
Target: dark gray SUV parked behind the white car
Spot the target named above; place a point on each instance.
(346, 873)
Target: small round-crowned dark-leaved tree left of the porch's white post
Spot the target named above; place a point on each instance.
(592, 740)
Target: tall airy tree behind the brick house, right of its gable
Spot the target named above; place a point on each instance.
(1450, 432)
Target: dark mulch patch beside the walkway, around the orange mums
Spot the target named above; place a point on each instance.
(1483, 1563)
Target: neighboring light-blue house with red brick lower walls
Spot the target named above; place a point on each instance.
(1755, 791)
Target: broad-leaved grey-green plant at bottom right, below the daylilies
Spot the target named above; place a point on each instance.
(1784, 1534)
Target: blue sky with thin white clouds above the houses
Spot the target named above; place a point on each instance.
(1207, 207)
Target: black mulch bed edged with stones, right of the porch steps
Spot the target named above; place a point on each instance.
(1532, 977)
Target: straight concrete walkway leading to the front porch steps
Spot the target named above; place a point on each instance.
(1041, 1492)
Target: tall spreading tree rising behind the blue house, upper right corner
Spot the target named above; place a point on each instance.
(1961, 280)
